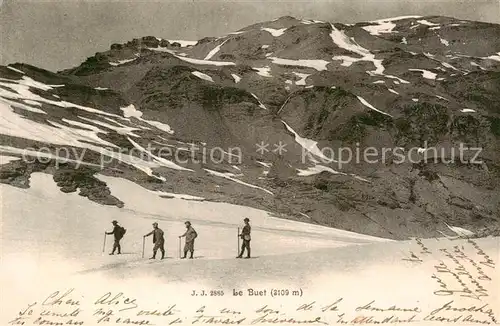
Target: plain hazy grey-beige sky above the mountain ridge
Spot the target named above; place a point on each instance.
(56, 35)
